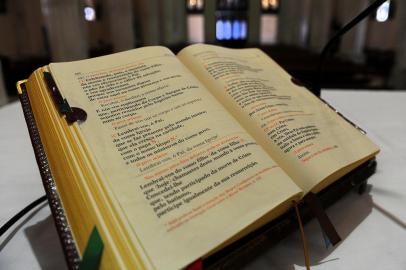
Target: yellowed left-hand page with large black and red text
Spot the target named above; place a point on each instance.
(186, 176)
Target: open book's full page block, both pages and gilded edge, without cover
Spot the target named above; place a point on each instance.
(181, 155)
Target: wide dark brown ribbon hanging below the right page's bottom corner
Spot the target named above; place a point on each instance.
(317, 210)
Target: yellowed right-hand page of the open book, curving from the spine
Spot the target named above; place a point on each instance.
(307, 139)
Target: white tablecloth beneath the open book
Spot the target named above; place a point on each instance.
(372, 225)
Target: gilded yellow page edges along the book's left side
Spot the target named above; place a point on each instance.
(81, 210)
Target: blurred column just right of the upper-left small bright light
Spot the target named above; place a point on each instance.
(119, 21)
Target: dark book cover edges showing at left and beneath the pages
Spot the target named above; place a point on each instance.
(235, 255)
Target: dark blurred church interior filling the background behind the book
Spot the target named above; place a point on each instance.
(293, 32)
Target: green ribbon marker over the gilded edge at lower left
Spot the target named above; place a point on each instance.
(94, 250)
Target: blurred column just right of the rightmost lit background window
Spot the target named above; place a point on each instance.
(293, 24)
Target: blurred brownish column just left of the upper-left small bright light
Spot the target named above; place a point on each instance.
(66, 29)
